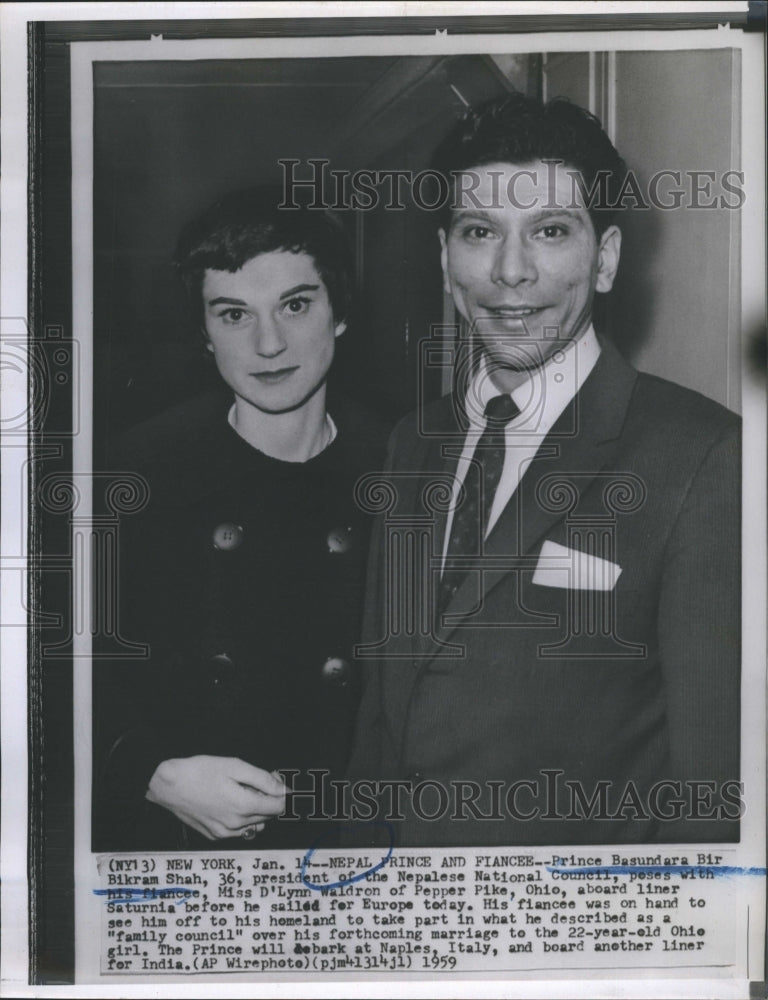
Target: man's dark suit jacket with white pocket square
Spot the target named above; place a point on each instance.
(576, 702)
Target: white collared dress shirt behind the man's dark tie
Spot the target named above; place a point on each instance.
(541, 398)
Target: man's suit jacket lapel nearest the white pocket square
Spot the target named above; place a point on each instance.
(584, 439)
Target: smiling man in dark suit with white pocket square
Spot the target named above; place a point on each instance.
(570, 673)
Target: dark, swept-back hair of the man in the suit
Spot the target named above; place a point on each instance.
(519, 129)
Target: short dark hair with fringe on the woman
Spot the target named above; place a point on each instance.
(245, 224)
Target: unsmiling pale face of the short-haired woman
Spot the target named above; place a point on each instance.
(271, 329)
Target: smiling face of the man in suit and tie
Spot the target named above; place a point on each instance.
(523, 268)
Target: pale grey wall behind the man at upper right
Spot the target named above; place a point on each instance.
(674, 309)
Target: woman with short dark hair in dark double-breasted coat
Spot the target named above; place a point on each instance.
(244, 573)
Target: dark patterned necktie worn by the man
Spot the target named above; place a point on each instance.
(470, 518)
